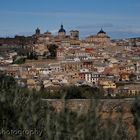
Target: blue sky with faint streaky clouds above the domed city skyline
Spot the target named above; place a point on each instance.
(119, 18)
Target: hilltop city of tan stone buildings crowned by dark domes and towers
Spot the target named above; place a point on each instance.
(49, 61)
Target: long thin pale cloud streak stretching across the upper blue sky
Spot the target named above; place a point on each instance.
(73, 14)
